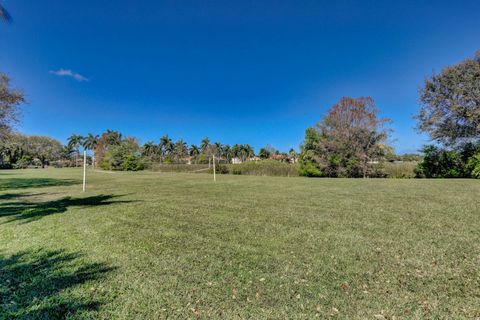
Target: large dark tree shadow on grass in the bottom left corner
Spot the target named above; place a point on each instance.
(44, 285)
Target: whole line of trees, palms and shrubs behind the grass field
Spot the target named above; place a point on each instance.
(351, 140)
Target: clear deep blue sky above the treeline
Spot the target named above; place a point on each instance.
(243, 71)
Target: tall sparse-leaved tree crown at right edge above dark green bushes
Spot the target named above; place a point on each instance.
(450, 104)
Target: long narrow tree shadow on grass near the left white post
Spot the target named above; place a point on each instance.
(30, 211)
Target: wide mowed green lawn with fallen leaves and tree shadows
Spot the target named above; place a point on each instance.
(167, 245)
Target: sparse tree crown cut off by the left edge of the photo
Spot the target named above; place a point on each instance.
(10, 100)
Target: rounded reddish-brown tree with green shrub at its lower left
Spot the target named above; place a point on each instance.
(345, 141)
